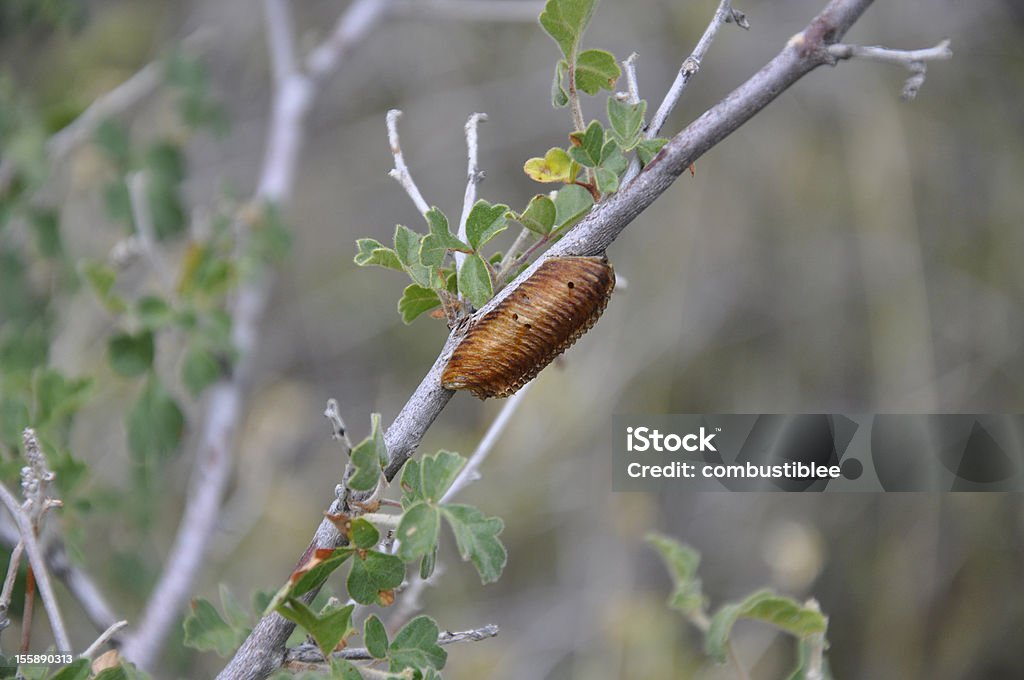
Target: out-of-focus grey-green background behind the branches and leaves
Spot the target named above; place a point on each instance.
(844, 251)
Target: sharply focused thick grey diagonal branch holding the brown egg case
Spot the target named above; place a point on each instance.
(264, 651)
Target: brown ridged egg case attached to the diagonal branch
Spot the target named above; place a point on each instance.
(549, 312)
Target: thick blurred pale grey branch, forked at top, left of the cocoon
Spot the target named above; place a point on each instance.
(293, 97)
